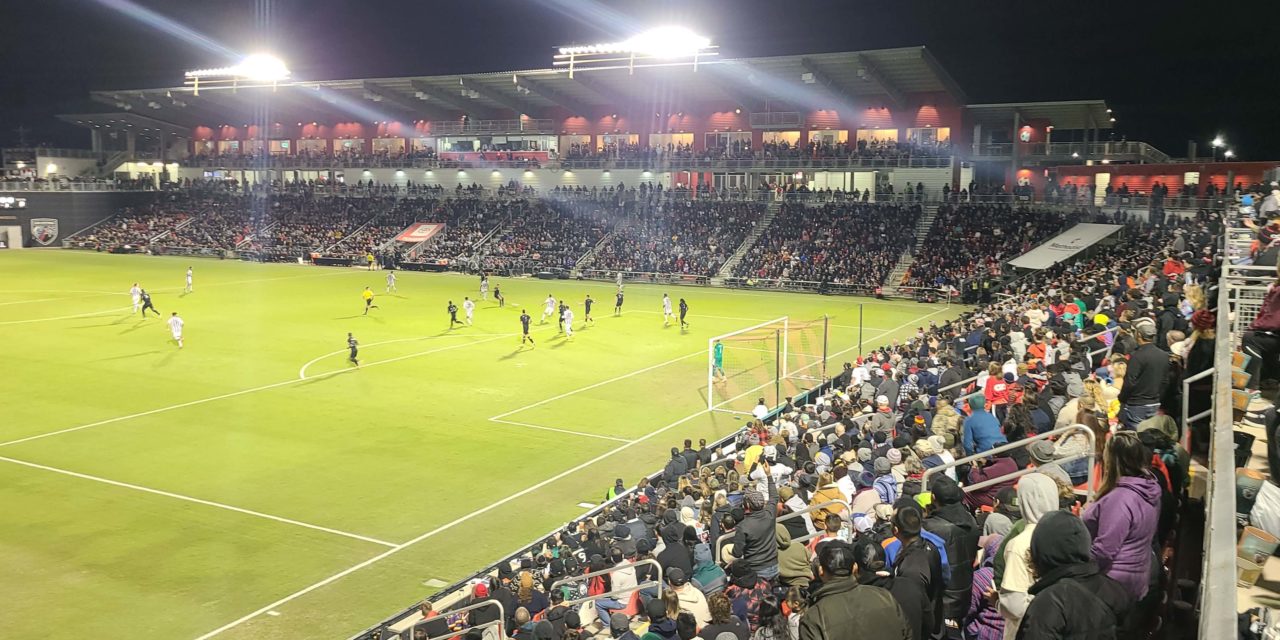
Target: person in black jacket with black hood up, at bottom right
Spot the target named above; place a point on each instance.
(1072, 597)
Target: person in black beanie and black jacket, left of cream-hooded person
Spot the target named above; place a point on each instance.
(959, 532)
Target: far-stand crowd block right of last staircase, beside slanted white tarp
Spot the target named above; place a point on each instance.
(970, 241)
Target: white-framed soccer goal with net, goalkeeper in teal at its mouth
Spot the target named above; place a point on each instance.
(772, 360)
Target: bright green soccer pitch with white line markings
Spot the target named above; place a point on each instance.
(254, 486)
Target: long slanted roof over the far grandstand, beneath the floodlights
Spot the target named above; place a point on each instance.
(847, 80)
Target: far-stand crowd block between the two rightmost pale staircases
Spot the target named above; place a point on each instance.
(840, 244)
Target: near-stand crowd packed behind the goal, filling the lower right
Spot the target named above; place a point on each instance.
(845, 514)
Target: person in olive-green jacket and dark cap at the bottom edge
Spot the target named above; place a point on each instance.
(844, 610)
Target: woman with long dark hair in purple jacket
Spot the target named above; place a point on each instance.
(1123, 520)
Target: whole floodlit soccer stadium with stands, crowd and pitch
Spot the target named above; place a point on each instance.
(644, 341)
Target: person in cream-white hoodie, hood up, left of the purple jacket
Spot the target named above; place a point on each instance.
(1037, 496)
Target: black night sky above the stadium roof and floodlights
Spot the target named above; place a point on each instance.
(1173, 71)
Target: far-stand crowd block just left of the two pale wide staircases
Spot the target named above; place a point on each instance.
(679, 237)
